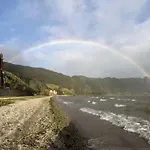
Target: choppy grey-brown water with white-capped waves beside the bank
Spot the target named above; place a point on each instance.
(109, 123)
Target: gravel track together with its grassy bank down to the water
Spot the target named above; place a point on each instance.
(37, 124)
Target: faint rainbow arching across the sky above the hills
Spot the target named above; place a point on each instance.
(56, 42)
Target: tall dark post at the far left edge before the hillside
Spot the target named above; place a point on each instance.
(1, 71)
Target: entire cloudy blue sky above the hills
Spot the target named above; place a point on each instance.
(123, 26)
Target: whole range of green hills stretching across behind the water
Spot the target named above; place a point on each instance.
(42, 80)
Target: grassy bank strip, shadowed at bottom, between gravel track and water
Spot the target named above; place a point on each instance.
(68, 136)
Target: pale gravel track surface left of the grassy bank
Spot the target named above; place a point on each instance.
(25, 125)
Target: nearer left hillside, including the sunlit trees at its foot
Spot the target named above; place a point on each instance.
(41, 80)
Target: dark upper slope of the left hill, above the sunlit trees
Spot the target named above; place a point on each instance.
(39, 74)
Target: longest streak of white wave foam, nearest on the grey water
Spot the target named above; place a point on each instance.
(129, 123)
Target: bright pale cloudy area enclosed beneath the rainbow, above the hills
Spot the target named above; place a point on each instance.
(82, 59)
